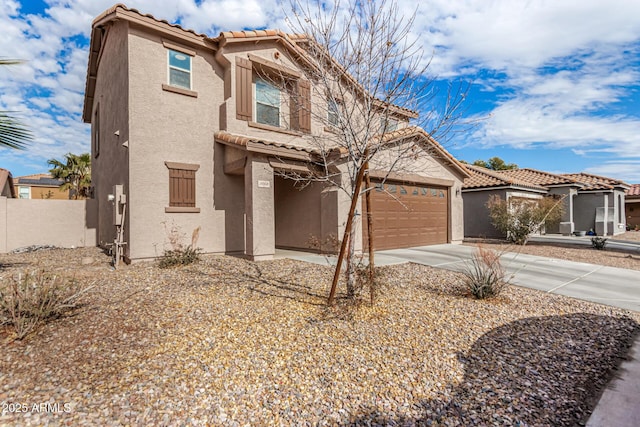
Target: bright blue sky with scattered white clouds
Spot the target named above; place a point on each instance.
(555, 81)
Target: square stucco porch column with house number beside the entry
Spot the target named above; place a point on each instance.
(259, 209)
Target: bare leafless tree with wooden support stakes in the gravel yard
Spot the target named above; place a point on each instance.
(371, 88)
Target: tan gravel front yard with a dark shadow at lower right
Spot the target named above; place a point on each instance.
(230, 342)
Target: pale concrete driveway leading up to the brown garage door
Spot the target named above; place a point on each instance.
(605, 285)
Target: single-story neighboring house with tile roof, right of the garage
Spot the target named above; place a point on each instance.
(584, 197)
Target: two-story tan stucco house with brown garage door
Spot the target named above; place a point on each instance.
(182, 138)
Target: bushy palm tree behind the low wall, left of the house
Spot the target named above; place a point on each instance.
(75, 172)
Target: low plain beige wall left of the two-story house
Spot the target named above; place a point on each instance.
(62, 223)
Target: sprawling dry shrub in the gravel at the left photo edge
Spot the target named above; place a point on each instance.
(32, 298)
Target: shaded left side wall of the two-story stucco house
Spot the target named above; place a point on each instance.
(111, 166)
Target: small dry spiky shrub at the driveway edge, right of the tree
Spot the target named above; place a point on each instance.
(484, 275)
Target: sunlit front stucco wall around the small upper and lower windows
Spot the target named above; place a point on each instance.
(168, 126)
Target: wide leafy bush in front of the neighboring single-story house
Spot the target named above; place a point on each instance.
(519, 218)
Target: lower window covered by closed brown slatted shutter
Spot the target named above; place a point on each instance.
(182, 187)
